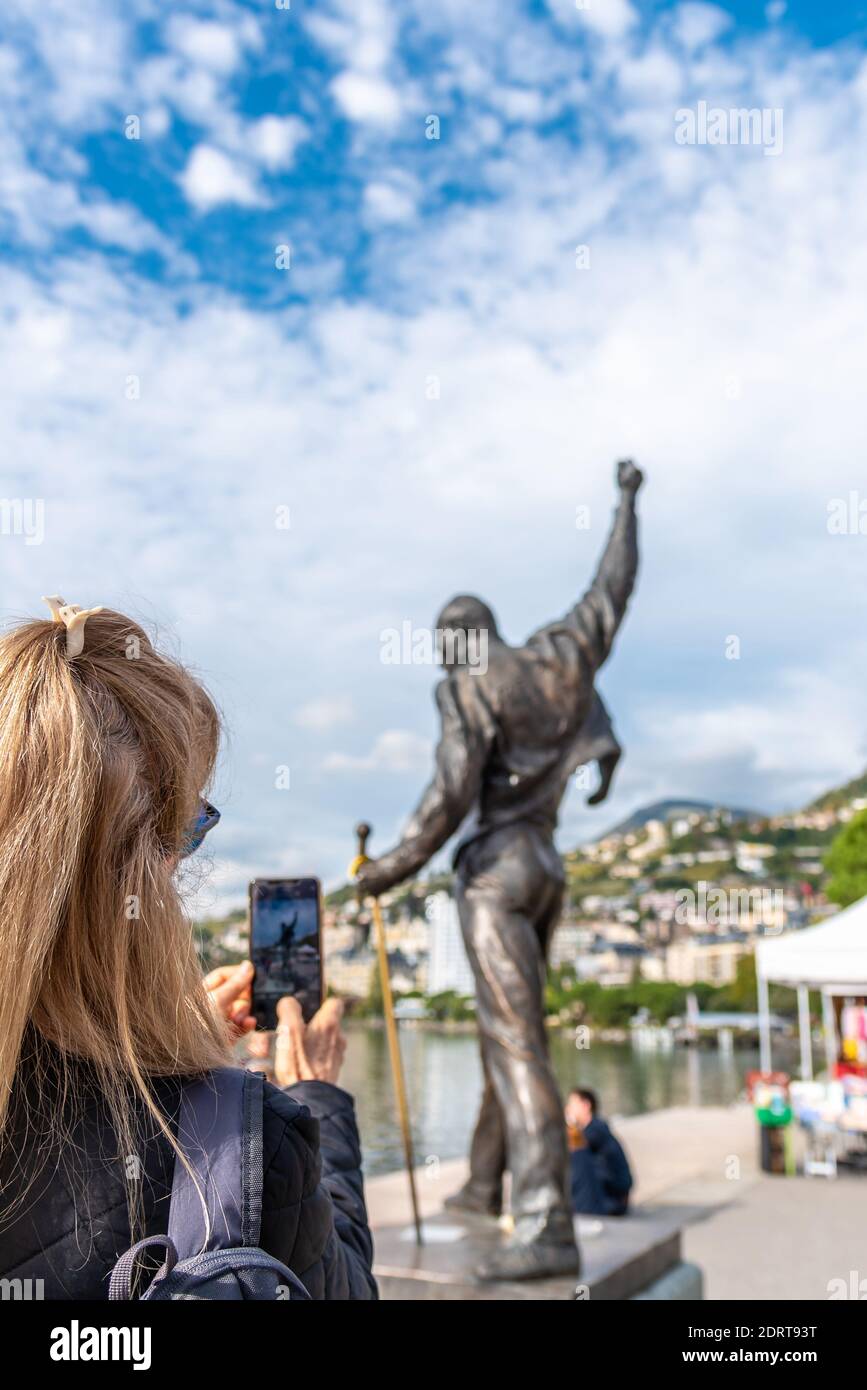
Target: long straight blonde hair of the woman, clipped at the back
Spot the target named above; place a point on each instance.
(104, 761)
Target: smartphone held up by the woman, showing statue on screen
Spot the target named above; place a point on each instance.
(286, 946)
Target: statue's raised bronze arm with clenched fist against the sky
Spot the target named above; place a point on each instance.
(595, 619)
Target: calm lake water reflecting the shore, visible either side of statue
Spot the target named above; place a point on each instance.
(445, 1079)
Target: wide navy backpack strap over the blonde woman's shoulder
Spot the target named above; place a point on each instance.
(220, 1132)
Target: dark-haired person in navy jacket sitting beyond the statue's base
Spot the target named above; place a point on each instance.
(601, 1177)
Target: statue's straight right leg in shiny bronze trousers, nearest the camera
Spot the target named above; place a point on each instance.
(508, 892)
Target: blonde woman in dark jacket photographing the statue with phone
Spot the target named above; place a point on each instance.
(106, 750)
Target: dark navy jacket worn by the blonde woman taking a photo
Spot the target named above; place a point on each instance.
(74, 1221)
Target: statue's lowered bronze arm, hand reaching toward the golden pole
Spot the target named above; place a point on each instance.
(461, 761)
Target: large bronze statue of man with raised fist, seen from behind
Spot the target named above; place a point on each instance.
(512, 737)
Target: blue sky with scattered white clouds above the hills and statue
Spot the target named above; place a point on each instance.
(431, 386)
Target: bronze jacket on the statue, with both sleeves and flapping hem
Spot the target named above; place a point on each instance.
(515, 733)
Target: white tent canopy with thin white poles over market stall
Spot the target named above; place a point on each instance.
(832, 957)
